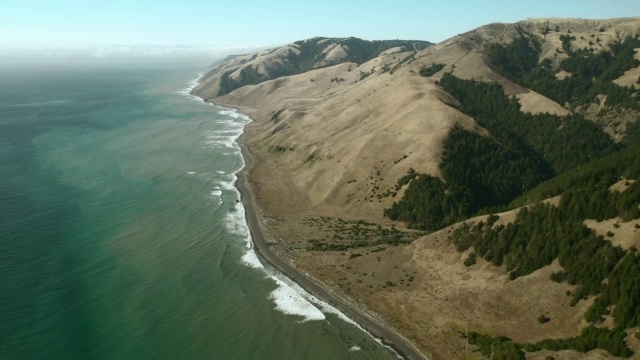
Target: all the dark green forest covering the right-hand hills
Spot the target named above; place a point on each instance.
(527, 159)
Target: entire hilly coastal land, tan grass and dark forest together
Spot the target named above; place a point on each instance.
(368, 170)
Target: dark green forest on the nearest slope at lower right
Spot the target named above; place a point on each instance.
(542, 233)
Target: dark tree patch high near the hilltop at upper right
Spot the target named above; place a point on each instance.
(591, 73)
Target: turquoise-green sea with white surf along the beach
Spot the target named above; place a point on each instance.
(120, 233)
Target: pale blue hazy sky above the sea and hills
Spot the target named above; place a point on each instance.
(110, 27)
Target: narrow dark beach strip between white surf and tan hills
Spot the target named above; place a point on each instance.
(374, 326)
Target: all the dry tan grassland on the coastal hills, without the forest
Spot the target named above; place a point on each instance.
(330, 142)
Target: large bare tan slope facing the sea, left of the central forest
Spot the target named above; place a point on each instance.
(339, 117)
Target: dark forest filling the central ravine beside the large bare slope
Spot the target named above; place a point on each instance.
(487, 173)
